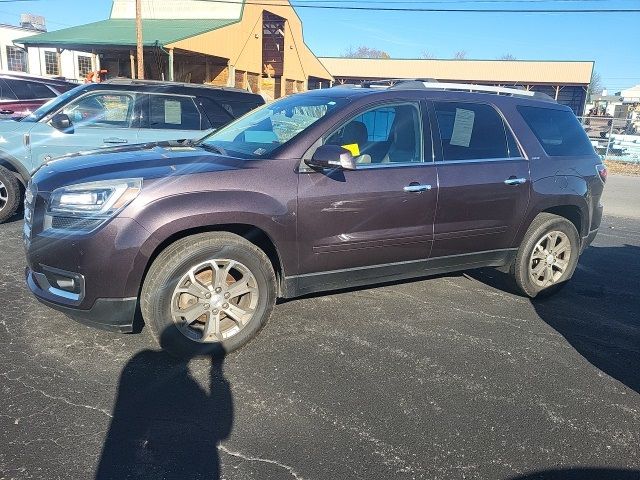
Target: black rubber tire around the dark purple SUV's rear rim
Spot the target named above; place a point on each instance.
(542, 225)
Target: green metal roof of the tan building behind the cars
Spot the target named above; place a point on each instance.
(122, 32)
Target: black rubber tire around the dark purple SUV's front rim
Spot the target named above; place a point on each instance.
(174, 262)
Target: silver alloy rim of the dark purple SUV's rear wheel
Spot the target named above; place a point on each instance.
(550, 258)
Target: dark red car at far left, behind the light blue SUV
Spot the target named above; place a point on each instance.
(21, 94)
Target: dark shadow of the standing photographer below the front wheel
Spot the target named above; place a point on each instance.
(165, 424)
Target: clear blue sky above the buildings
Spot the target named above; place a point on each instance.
(612, 40)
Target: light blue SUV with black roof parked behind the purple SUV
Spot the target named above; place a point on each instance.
(113, 113)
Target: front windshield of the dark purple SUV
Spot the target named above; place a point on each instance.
(261, 131)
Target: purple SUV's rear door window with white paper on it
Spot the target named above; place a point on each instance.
(473, 131)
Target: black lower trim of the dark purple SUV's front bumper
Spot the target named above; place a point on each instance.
(112, 314)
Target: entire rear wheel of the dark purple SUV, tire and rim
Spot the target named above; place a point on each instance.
(547, 256)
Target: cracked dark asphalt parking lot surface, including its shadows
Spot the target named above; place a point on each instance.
(450, 377)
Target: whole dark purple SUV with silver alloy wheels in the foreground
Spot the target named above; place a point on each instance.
(318, 191)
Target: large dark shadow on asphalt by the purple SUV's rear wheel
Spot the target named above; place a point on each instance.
(598, 312)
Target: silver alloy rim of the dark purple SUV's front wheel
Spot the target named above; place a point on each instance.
(214, 300)
